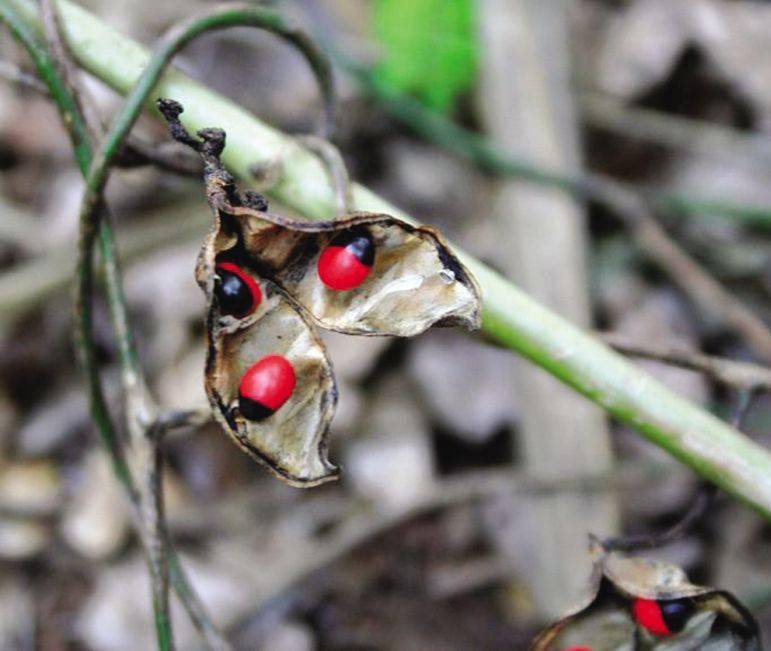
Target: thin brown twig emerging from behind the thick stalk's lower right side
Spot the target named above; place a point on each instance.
(740, 375)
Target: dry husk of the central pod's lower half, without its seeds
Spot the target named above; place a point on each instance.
(292, 442)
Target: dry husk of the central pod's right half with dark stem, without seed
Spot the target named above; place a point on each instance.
(416, 281)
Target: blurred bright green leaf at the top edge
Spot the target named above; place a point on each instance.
(428, 48)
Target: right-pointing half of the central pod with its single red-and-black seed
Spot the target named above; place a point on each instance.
(366, 274)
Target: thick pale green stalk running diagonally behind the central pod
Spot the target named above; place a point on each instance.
(703, 442)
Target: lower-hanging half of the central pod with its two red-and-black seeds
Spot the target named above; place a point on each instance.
(268, 378)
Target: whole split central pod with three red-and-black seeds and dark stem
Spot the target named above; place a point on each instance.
(270, 280)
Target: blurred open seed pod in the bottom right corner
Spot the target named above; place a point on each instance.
(636, 603)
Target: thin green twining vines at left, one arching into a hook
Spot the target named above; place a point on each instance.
(145, 427)
